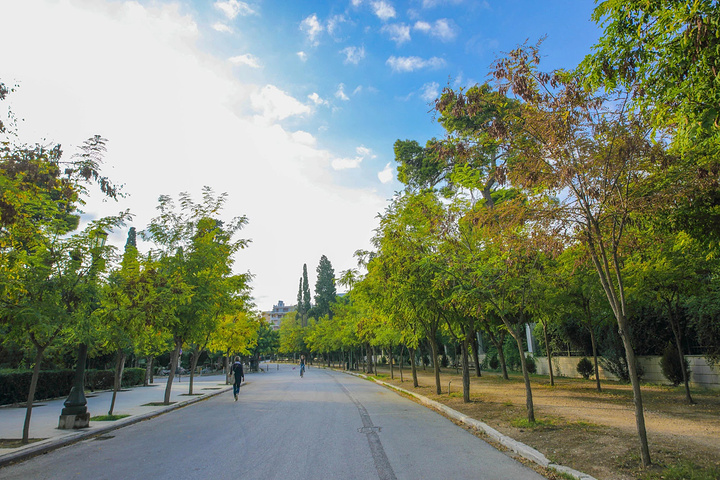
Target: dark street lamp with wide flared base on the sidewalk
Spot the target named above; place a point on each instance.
(75, 414)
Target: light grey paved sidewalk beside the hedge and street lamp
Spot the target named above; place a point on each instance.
(131, 401)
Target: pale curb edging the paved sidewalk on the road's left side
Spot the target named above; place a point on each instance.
(50, 444)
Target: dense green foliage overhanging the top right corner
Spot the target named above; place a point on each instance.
(666, 53)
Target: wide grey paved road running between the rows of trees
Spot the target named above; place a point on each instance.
(326, 425)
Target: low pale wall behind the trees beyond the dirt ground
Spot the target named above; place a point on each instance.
(701, 373)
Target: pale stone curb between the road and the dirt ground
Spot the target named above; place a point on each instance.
(520, 448)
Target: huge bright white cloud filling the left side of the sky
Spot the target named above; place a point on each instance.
(167, 135)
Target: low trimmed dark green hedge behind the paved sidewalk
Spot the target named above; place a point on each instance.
(15, 385)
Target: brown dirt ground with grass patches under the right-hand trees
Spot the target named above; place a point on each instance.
(584, 429)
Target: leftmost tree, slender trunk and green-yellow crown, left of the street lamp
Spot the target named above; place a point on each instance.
(48, 277)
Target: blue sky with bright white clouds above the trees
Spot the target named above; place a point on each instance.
(292, 107)
